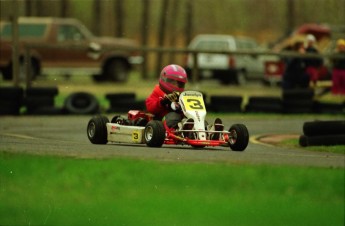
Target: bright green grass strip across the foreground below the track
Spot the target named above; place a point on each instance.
(37, 190)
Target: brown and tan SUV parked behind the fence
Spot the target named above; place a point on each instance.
(65, 46)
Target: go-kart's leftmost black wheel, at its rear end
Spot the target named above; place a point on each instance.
(97, 129)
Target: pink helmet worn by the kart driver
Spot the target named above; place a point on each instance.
(173, 78)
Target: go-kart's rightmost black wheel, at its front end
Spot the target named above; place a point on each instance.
(238, 137)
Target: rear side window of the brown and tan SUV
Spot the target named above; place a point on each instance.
(25, 30)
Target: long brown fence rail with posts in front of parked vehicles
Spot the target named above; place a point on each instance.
(194, 53)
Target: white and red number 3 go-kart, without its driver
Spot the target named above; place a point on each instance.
(142, 128)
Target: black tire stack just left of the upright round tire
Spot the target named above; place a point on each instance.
(41, 101)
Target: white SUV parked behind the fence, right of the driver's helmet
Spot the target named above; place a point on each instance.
(228, 68)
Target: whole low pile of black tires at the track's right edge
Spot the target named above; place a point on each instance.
(320, 133)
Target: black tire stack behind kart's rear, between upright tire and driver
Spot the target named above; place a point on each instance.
(123, 102)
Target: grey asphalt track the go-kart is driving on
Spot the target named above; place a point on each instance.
(66, 136)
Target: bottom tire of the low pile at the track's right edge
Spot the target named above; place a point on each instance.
(324, 140)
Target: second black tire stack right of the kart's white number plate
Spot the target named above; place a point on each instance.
(264, 104)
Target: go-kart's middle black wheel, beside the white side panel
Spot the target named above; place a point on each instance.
(154, 133)
